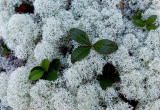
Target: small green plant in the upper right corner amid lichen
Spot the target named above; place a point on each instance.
(137, 20)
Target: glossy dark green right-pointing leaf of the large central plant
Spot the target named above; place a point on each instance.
(105, 46)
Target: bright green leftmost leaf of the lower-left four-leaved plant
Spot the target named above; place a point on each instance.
(36, 74)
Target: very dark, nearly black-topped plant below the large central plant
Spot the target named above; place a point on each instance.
(109, 76)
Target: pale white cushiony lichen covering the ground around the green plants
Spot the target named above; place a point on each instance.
(137, 59)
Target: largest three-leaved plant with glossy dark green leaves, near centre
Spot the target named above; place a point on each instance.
(104, 46)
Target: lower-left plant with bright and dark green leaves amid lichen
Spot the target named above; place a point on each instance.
(47, 70)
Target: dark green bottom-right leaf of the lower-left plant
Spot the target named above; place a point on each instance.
(51, 75)
